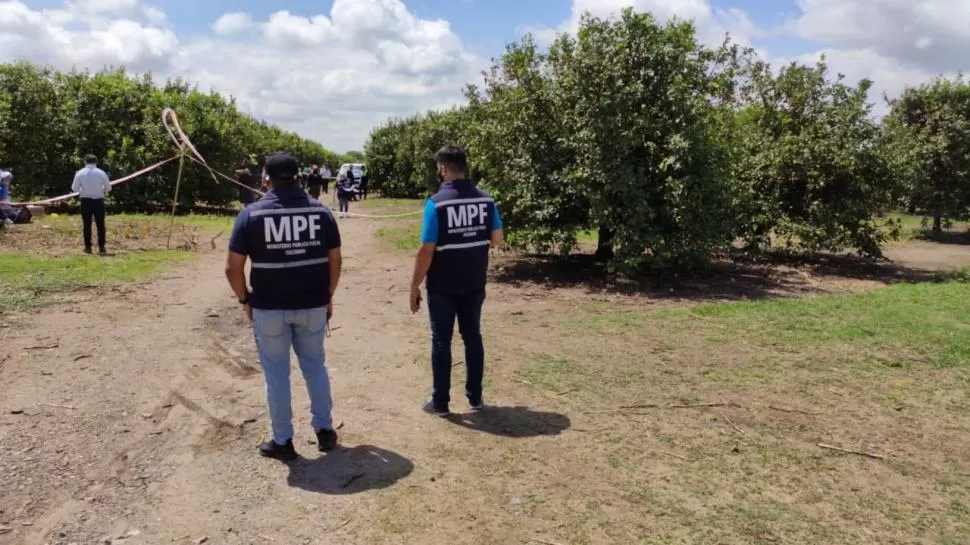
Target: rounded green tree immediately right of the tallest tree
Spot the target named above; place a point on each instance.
(807, 162)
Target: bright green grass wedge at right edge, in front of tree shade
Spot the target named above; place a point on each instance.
(926, 322)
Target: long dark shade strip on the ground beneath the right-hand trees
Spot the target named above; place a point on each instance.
(773, 275)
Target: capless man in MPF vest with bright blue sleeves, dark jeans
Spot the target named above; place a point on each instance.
(460, 222)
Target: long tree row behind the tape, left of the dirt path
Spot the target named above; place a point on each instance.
(49, 120)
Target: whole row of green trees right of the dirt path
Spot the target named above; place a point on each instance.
(673, 151)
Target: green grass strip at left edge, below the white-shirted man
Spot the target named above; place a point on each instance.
(28, 281)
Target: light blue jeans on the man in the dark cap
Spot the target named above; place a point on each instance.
(303, 330)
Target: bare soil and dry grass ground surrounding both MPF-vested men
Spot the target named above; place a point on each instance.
(130, 415)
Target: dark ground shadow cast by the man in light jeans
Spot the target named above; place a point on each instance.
(349, 470)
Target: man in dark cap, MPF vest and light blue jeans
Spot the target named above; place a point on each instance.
(293, 243)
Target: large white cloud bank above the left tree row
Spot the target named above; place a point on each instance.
(331, 77)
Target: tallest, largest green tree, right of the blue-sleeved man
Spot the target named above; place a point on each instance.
(614, 129)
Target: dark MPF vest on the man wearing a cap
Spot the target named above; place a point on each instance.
(289, 235)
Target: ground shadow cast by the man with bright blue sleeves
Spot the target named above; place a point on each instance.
(516, 422)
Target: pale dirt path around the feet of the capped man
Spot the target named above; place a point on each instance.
(141, 408)
